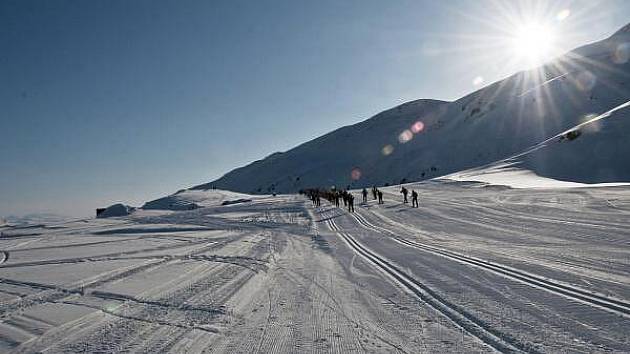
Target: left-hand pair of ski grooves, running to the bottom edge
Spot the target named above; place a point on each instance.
(471, 324)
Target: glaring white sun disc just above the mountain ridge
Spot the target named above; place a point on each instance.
(533, 43)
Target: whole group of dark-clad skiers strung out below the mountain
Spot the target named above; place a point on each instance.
(335, 197)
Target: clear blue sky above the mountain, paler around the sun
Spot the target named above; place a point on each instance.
(109, 101)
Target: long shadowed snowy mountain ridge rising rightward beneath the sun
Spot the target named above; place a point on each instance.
(427, 138)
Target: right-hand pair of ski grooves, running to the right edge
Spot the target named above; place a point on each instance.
(616, 306)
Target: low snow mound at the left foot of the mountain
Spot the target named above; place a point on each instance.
(190, 199)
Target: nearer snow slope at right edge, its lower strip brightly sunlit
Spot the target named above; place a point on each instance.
(592, 152)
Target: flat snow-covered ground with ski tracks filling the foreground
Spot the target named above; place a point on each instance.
(477, 268)
